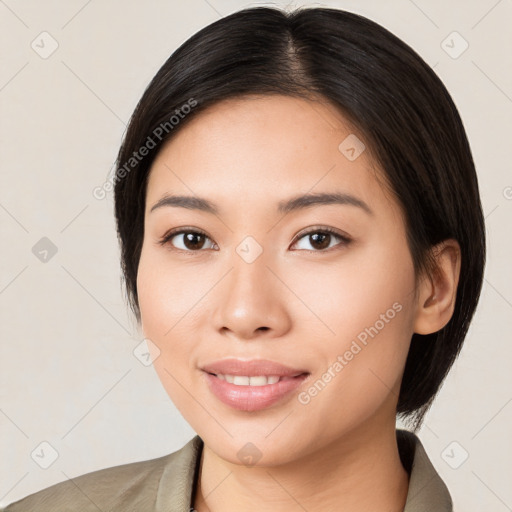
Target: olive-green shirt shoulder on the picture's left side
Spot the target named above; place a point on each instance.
(133, 486)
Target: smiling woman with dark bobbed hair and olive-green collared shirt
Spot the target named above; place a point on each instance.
(303, 246)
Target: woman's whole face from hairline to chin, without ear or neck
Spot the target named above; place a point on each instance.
(256, 277)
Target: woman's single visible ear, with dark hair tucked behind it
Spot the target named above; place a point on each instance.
(437, 293)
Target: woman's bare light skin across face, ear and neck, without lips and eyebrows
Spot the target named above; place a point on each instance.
(202, 302)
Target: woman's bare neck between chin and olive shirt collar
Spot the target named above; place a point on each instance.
(361, 471)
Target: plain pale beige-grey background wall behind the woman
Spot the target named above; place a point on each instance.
(68, 373)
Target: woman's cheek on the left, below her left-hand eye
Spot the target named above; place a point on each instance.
(173, 297)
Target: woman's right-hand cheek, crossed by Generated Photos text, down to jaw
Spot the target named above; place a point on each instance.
(368, 303)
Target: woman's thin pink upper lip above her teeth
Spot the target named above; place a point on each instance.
(252, 368)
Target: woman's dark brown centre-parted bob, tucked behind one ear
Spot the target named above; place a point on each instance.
(405, 114)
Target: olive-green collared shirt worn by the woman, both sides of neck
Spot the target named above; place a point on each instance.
(167, 484)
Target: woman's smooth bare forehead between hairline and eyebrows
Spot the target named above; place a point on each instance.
(265, 147)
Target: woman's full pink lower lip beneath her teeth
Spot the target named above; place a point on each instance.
(252, 398)
